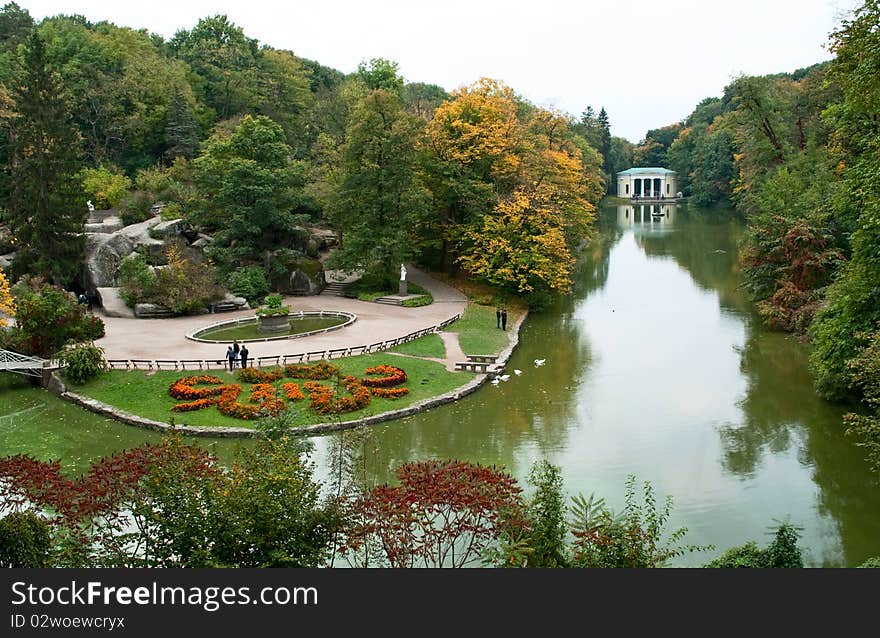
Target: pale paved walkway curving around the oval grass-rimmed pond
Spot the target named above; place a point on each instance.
(165, 338)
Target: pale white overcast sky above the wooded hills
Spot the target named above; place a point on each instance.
(648, 63)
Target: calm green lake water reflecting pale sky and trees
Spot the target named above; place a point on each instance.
(655, 366)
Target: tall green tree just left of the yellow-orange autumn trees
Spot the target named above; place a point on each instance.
(379, 202)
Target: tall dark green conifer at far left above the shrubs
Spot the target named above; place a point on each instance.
(46, 207)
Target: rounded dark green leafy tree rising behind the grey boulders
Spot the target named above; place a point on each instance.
(249, 190)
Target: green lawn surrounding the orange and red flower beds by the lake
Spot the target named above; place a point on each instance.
(147, 395)
